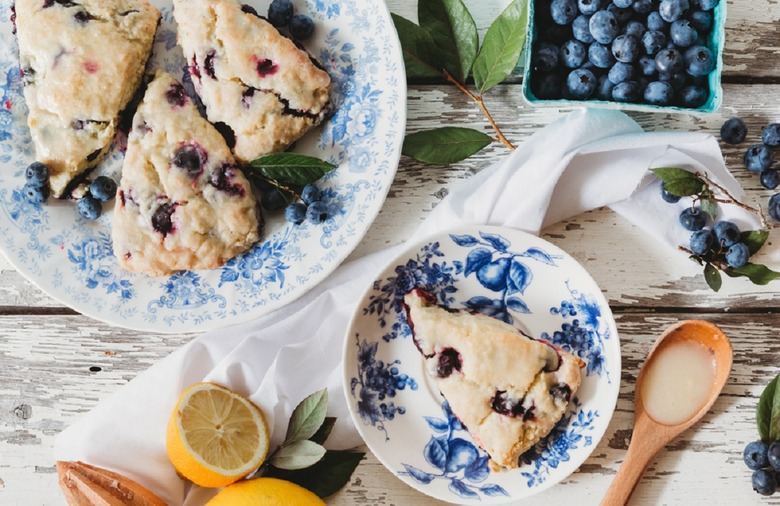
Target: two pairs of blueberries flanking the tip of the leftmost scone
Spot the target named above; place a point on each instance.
(36, 190)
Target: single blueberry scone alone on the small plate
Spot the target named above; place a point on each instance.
(508, 390)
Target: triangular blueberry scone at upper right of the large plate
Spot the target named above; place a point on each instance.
(260, 90)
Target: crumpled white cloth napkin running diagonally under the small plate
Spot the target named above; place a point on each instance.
(587, 159)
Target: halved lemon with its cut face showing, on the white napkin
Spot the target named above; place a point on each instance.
(215, 436)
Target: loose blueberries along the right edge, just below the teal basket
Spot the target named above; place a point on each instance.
(758, 158)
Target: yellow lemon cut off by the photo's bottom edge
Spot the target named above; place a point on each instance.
(266, 492)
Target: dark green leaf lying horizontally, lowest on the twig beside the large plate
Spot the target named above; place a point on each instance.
(445, 145)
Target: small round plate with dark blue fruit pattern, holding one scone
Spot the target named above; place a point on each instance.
(508, 274)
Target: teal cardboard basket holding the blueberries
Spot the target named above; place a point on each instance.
(715, 41)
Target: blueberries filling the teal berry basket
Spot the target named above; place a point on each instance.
(630, 51)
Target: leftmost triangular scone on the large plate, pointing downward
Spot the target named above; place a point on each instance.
(81, 63)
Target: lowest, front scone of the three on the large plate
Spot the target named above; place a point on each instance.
(183, 202)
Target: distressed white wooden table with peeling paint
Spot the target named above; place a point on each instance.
(56, 364)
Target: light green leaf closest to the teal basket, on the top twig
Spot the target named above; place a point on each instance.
(502, 46)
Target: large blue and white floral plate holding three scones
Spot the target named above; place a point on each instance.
(71, 259)
